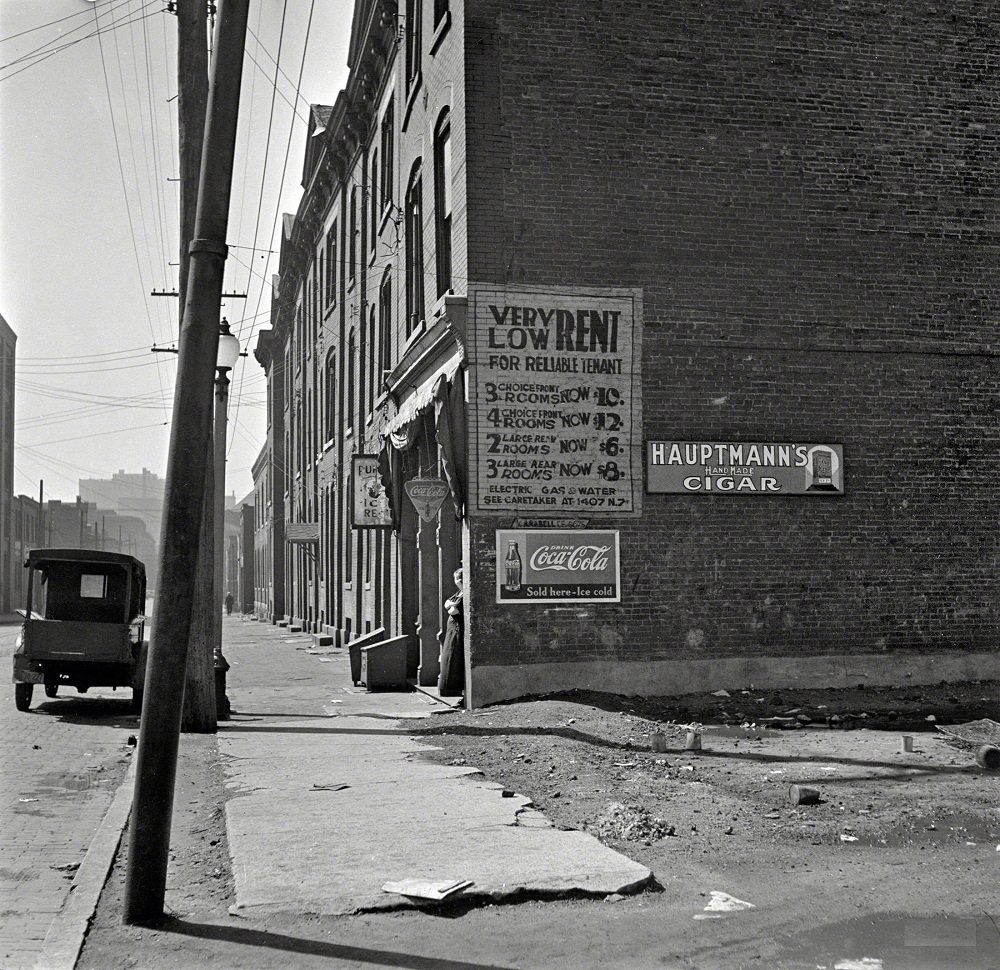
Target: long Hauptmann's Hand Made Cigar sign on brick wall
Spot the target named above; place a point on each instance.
(744, 468)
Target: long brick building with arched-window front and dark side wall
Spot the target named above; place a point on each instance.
(785, 212)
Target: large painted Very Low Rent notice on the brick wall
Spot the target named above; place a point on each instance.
(555, 400)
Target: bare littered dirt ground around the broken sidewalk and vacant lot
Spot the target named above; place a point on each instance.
(896, 836)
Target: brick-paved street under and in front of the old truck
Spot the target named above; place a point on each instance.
(60, 765)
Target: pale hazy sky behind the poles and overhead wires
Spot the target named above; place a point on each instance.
(88, 221)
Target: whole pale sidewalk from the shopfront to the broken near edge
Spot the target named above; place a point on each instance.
(299, 843)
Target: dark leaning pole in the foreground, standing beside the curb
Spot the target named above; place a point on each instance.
(190, 439)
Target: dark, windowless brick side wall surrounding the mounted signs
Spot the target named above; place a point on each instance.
(807, 194)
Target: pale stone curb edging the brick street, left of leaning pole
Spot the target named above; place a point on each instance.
(69, 927)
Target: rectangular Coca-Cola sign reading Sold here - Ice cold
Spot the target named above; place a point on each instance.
(557, 566)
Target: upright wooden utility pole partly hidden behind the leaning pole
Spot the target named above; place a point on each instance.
(199, 714)
